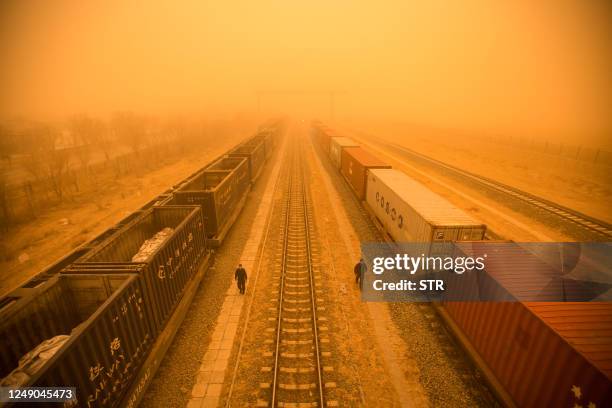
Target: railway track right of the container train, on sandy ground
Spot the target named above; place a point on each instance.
(597, 229)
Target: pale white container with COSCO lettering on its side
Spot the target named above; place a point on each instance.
(410, 212)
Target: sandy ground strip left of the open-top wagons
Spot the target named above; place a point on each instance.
(57, 231)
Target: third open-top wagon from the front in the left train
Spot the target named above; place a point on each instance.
(220, 189)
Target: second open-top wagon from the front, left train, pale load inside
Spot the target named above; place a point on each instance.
(167, 268)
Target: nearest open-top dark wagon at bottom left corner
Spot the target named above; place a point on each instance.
(100, 327)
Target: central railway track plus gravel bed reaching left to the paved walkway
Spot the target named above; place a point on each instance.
(284, 358)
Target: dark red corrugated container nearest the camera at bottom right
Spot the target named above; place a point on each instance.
(543, 354)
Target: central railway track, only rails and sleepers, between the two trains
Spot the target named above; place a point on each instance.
(297, 372)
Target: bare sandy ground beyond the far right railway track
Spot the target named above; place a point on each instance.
(576, 184)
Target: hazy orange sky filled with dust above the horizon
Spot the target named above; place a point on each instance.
(504, 65)
